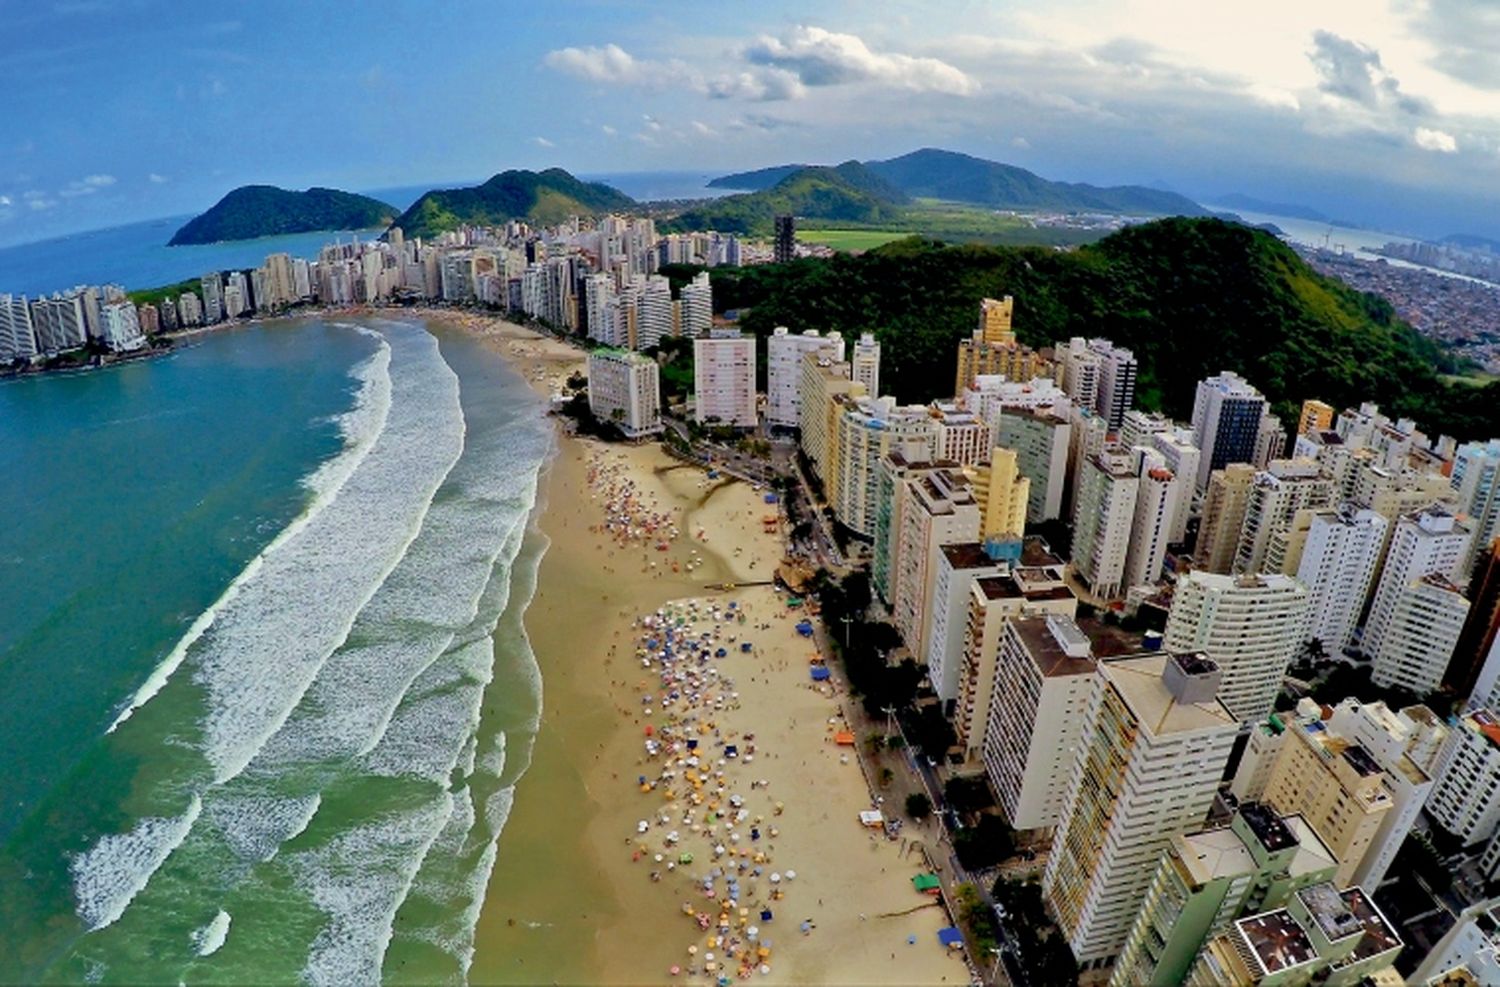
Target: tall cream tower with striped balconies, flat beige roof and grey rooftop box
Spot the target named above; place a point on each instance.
(1151, 757)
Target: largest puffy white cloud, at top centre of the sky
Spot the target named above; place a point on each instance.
(823, 58)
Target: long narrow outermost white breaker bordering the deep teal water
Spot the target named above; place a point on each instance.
(361, 425)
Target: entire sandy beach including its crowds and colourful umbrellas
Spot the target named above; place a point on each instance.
(680, 793)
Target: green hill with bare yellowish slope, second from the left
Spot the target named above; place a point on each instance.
(538, 197)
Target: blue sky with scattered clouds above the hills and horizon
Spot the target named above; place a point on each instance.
(1381, 112)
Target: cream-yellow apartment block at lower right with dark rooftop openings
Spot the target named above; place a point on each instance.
(1337, 787)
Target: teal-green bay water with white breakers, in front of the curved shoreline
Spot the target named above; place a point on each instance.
(257, 721)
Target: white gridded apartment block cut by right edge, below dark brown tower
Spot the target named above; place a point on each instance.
(1466, 800)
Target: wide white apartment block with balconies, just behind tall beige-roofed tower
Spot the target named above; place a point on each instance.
(1250, 626)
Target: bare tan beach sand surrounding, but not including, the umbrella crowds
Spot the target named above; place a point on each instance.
(569, 899)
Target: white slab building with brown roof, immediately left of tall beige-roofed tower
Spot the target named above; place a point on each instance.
(1045, 677)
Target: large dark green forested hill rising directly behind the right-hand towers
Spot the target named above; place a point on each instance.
(1190, 296)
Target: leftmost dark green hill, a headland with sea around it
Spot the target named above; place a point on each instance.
(263, 211)
